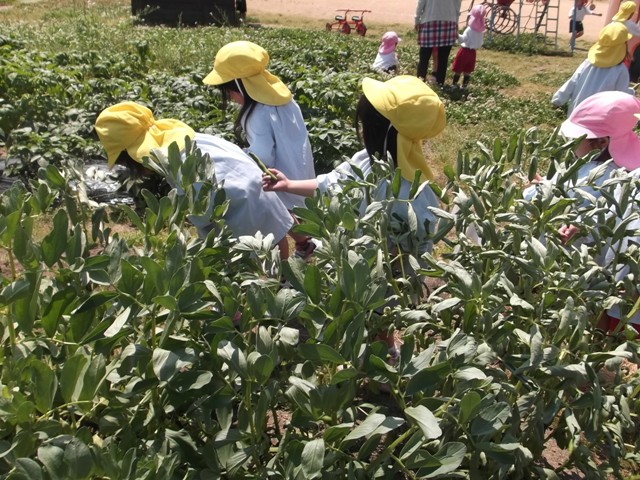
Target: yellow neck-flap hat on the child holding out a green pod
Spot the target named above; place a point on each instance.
(415, 111)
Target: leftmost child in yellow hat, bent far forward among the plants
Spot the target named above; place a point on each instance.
(129, 132)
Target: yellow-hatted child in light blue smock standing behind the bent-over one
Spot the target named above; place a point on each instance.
(269, 118)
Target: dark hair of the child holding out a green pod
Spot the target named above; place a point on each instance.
(375, 131)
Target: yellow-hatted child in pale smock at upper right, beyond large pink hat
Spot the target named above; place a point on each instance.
(603, 69)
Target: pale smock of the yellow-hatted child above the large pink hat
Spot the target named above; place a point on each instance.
(588, 80)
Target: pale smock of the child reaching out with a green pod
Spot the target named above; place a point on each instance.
(332, 182)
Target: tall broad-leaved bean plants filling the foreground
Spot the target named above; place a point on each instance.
(185, 357)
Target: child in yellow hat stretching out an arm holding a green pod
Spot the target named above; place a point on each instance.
(392, 118)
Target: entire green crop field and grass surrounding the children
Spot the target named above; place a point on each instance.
(133, 349)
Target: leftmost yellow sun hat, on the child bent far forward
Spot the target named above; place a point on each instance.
(131, 127)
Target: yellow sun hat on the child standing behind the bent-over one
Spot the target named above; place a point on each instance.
(248, 62)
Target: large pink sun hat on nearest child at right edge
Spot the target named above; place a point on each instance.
(609, 114)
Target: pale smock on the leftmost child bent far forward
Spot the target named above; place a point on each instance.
(250, 209)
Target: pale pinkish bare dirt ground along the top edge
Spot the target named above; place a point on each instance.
(394, 12)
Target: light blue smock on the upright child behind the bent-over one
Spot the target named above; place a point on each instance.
(278, 136)
